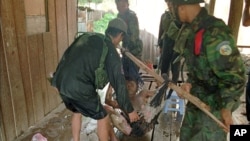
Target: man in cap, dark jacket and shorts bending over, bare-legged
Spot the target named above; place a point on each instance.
(87, 65)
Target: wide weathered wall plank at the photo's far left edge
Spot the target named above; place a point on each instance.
(9, 16)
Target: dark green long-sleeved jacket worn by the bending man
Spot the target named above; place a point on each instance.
(75, 73)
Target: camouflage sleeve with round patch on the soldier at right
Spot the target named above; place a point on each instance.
(227, 65)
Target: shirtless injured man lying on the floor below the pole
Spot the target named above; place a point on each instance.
(140, 101)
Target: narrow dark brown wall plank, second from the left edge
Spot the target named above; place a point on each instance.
(20, 25)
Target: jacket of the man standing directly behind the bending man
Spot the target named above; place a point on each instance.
(132, 42)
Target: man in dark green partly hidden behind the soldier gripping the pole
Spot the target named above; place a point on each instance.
(168, 30)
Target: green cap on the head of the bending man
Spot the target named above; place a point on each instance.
(118, 23)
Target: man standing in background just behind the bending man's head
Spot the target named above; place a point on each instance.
(131, 42)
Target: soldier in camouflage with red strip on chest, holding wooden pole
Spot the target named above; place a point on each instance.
(216, 73)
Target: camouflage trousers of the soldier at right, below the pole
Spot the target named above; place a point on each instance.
(197, 126)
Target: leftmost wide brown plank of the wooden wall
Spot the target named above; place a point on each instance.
(13, 96)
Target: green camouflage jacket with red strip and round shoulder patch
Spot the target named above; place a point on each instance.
(215, 67)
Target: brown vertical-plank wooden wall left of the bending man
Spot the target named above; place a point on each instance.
(26, 60)
